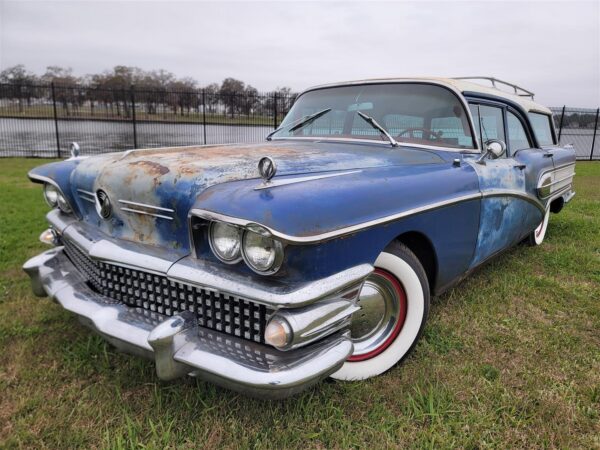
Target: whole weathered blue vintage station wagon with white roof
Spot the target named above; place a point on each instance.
(268, 267)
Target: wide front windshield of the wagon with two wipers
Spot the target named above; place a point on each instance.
(422, 114)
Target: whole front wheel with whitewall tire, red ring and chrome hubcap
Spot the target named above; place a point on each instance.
(394, 305)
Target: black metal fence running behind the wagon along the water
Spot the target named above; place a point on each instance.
(42, 120)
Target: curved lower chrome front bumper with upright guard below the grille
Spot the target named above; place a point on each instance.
(178, 346)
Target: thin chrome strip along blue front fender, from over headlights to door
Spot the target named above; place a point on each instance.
(210, 215)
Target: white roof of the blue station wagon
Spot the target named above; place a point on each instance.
(458, 85)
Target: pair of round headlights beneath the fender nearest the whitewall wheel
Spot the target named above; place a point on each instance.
(261, 251)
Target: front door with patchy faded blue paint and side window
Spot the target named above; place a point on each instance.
(509, 207)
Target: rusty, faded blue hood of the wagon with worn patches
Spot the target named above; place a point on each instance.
(160, 186)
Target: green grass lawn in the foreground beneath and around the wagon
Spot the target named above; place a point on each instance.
(510, 358)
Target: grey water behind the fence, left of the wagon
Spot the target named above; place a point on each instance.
(37, 138)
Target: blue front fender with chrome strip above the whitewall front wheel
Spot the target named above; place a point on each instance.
(338, 222)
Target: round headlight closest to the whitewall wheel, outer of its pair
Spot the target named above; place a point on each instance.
(262, 253)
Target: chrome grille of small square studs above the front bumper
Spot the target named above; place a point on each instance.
(156, 293)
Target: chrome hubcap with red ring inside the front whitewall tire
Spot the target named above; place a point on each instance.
(381, 309)
